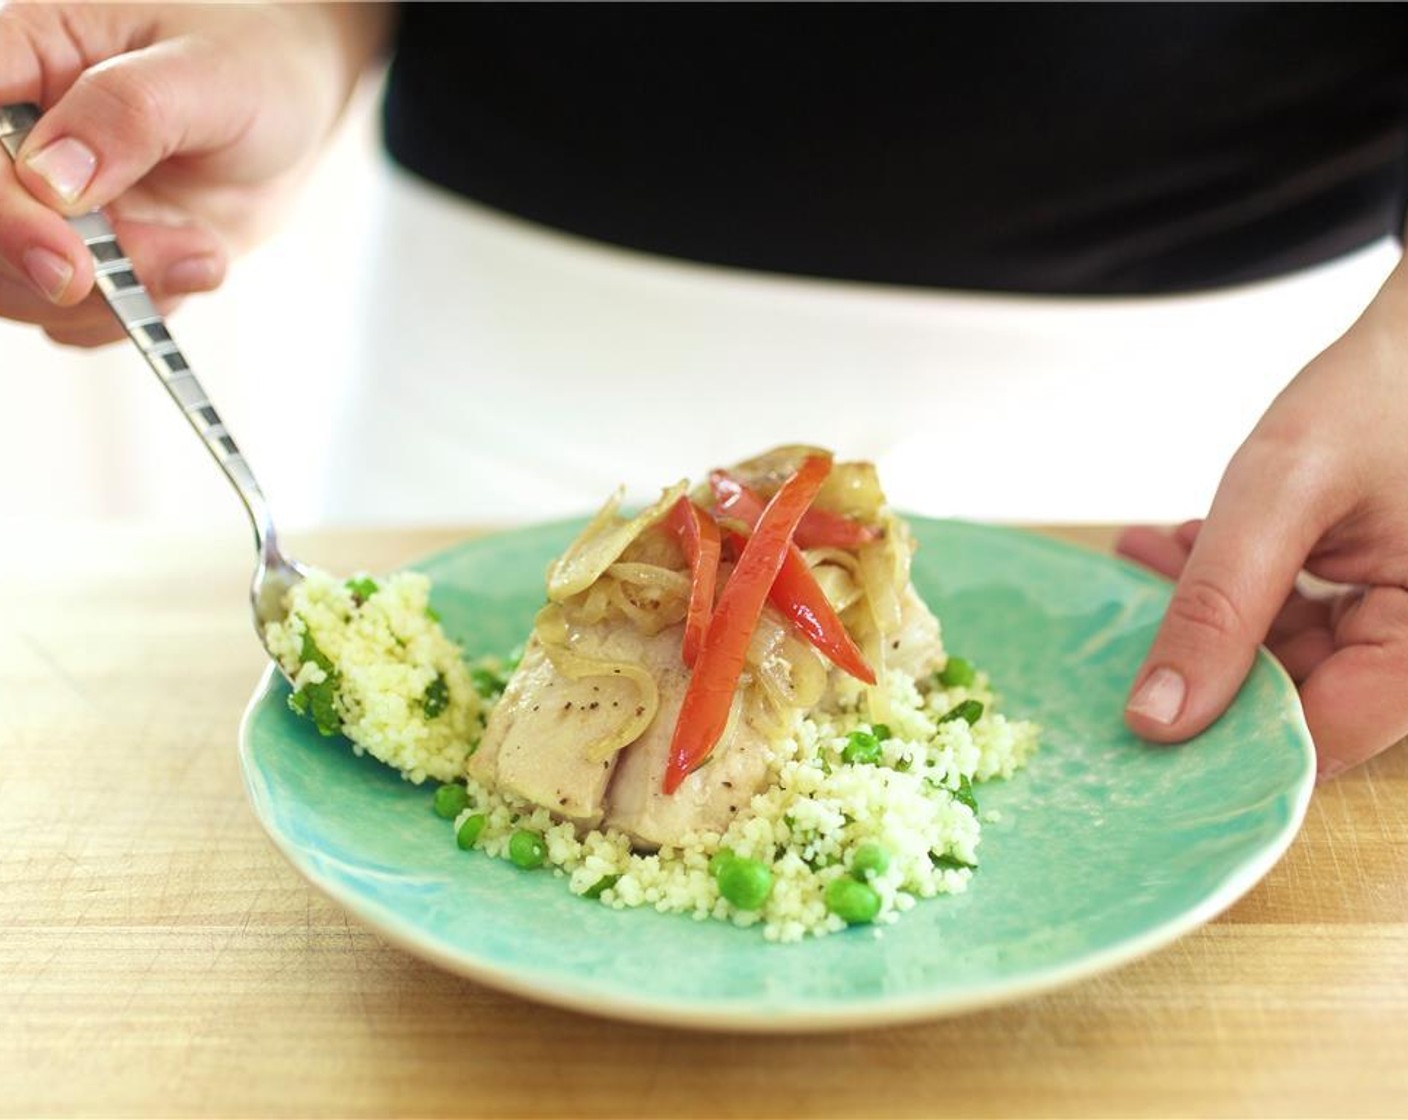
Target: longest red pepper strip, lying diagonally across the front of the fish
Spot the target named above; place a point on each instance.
(715, 678)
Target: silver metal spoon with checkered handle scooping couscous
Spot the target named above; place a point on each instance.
(134, 309)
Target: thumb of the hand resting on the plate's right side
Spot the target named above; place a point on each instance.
(1243, 568)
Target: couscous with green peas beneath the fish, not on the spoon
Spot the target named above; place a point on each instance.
(858, 822)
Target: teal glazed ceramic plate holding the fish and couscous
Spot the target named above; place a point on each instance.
(1105, 849)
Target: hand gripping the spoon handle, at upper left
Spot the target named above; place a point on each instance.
(188, 123)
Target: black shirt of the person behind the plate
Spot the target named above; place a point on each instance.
(1048, 149)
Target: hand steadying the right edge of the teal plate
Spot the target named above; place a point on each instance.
(1321, 485)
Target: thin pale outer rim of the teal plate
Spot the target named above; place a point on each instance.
(891, 1009)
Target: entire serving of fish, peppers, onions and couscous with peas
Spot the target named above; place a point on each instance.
(733, 704)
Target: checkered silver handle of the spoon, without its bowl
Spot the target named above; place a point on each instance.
(134, 309)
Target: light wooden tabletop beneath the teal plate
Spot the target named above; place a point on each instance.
(158, 957)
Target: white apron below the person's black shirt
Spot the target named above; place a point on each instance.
(506, 374)
